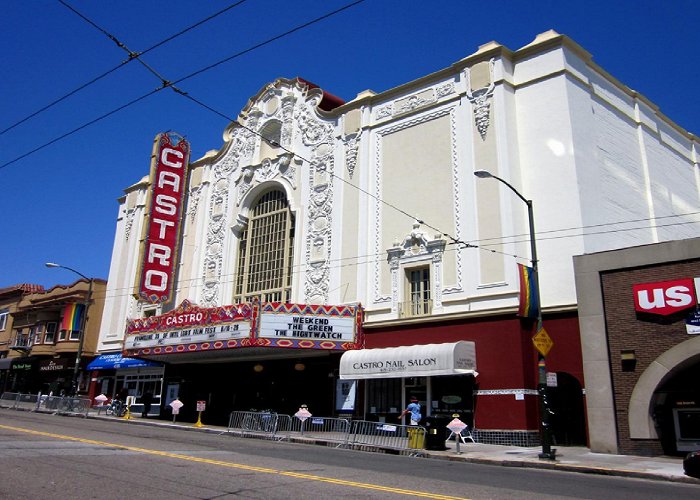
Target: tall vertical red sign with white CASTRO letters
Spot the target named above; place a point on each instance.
(162, 229)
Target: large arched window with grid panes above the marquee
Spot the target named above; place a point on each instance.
(265, 252)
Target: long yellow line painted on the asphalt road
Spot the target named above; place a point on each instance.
(234, 465)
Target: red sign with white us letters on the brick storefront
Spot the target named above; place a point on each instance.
(664, 297)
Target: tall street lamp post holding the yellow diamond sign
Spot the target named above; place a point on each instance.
(545, 424)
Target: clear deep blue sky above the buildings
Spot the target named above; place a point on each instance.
(59, 204)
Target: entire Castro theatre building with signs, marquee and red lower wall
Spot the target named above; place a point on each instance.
(342, 254)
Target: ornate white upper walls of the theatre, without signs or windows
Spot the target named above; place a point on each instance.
(592, 154)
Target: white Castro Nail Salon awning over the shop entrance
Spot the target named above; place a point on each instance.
(456, 358)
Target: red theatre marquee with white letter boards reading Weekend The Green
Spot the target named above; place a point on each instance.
(269, 329)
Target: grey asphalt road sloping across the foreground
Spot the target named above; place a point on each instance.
(47, 456)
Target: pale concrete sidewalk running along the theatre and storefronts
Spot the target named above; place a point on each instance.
(569, 458)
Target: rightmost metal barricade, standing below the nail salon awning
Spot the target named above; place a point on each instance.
(403, 438)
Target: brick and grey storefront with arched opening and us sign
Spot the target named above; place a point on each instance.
(641, 342)
